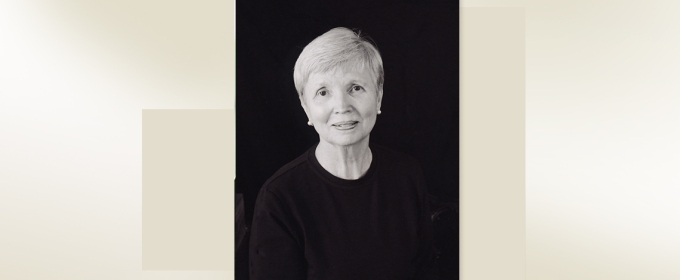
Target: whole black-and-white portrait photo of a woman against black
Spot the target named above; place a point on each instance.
(347, 140)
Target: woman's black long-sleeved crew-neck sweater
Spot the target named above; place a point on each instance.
(309, 224)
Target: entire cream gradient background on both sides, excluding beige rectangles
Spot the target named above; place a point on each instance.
(601, 99)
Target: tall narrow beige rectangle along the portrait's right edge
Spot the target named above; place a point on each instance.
(492, 158)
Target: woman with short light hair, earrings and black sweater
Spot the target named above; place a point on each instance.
(345, 209)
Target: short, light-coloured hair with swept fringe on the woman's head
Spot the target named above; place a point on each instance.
(339, 48)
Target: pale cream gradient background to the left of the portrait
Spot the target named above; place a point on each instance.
(74, 78)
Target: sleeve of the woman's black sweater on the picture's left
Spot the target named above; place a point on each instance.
(274, 251)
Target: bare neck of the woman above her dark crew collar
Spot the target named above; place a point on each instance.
(346, 162)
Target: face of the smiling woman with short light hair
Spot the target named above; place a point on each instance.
(342, 105)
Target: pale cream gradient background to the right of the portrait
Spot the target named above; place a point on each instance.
(602, 158)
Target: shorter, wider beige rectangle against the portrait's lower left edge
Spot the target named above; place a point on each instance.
(187, 181)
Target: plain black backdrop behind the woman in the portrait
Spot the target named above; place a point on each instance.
(418, 42)
